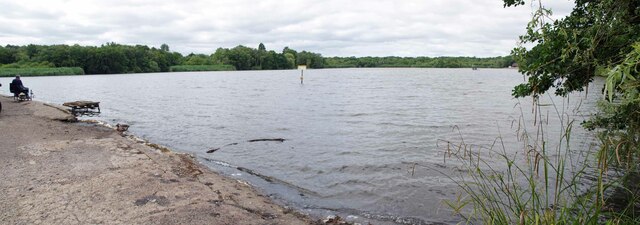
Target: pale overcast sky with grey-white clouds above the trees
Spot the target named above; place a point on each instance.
(481, 28)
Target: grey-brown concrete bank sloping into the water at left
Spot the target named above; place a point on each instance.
(58, 172)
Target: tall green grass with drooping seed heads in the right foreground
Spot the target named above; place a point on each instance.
(542, 183)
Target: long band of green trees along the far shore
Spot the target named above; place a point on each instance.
(112, 58)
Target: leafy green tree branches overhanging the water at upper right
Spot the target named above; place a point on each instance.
(569, 51)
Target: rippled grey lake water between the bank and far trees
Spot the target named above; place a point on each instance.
(352, 135)
